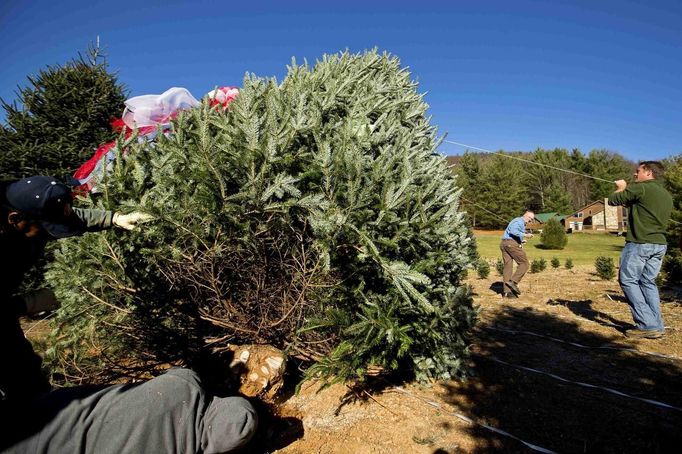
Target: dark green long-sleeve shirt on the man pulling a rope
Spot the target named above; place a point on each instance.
(649, 207)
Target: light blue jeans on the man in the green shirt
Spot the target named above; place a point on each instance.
(639, 266)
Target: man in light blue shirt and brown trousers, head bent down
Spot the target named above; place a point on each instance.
(512, 251)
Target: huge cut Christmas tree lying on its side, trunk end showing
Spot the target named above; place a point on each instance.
(313, 215)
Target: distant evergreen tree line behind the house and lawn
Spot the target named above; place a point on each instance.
(498, 188)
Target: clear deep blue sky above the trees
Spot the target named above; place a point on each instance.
(508, 74)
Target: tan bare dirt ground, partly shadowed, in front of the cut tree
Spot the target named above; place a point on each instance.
(528, 356)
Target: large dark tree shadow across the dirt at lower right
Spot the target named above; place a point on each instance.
(559, 415)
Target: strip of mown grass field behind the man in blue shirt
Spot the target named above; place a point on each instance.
(581, 247)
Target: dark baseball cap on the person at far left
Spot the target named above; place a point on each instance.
(44, 199)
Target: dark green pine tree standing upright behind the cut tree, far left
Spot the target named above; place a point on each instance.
(60, 117)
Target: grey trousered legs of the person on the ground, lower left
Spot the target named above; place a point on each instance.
(168, 414)
